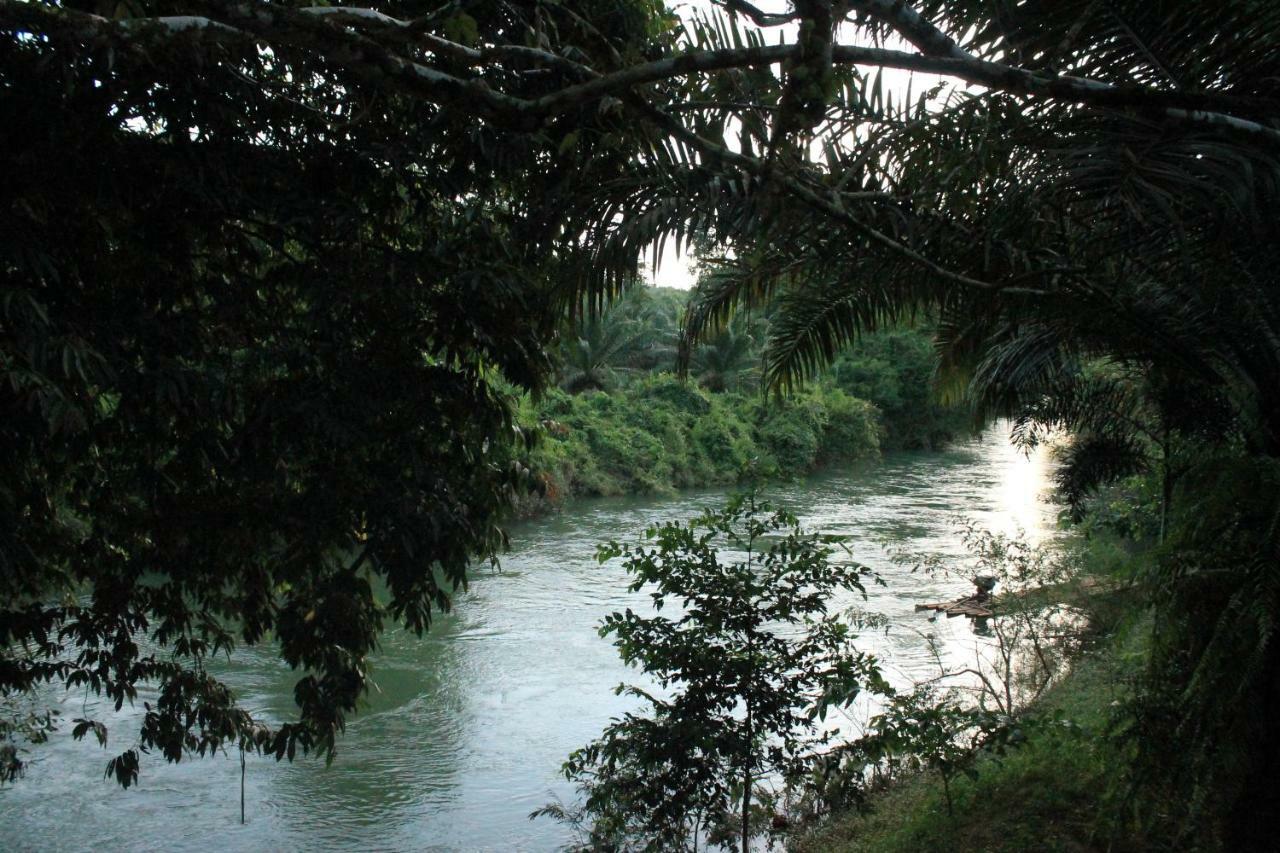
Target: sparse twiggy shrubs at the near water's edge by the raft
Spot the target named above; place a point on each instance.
(966, 715)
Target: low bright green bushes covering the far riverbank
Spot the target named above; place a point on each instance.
(660, 436)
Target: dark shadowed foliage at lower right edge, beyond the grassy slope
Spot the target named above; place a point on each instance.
(1197, 726)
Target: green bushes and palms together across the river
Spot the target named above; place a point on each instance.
(623, 423)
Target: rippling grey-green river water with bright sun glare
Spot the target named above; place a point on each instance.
(470, 726)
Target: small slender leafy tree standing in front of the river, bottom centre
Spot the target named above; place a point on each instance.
(748, 670)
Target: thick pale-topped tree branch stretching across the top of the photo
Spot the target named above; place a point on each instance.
(369, 60)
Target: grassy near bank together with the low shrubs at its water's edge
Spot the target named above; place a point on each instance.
(1046, 779)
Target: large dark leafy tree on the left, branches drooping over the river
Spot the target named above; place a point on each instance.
(258, 311)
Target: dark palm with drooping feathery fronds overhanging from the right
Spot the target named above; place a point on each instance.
(1049, 239)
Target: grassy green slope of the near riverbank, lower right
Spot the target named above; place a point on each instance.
(1058, 791)
